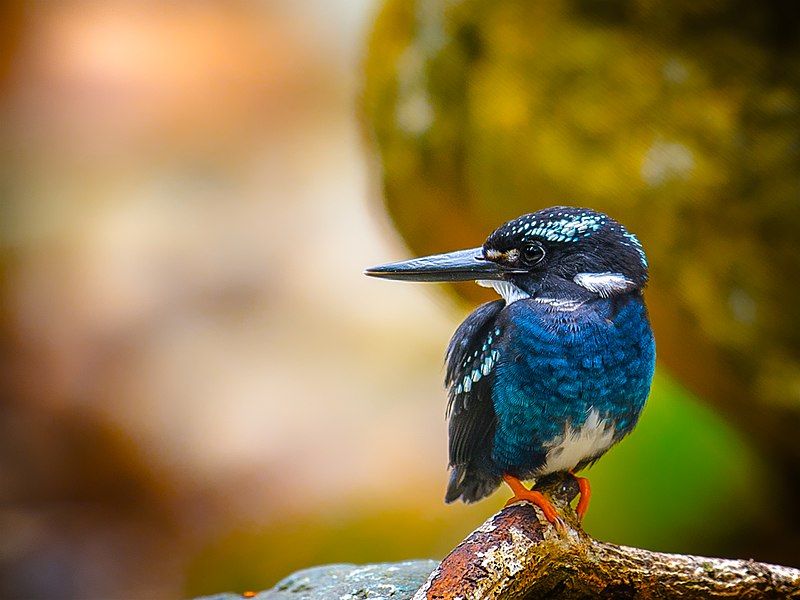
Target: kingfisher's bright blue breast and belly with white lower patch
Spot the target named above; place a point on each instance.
(568, 384)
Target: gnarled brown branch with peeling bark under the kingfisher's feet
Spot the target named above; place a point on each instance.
(518, 554)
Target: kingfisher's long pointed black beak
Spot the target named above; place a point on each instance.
(463, 265)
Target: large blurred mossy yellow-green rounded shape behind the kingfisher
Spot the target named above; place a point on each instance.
(681, 119)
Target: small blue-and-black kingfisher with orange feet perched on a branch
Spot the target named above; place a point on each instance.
(556, 371)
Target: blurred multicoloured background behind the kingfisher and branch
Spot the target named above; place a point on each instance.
(201, 392)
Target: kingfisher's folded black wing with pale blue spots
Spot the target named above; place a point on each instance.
(471, 357)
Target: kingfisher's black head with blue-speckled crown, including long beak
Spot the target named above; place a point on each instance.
(562, 251)
